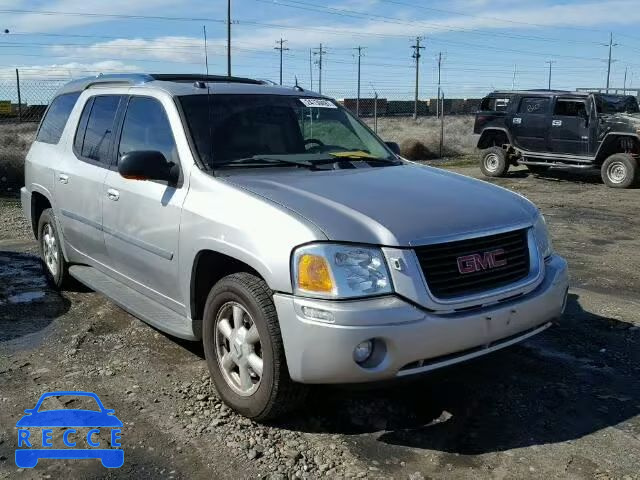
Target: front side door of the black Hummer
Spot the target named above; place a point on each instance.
(569, 126)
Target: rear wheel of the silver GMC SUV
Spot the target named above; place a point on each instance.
(50, 245)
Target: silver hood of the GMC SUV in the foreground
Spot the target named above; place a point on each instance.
(395, 206)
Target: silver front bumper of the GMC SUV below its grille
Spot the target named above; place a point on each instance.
(414, 340)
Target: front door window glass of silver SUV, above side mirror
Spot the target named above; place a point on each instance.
(146, 127)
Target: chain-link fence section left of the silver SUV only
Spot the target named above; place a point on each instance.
(22, 105)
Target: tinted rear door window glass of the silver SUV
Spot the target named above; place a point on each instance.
(100, 124)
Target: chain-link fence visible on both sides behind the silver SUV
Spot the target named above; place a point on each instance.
(427, 130)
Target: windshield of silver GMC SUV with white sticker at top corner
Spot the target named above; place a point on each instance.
(273, 129)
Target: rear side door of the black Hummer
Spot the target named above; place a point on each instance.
(530, 123)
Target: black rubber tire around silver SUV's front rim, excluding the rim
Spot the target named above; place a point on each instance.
(276, 393)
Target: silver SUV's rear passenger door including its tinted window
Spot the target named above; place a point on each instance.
(79, 178)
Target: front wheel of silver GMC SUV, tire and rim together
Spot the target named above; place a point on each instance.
(244, 351)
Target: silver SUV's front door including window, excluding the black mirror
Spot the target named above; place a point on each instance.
(141, 219)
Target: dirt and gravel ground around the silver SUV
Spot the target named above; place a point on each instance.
(565, 404)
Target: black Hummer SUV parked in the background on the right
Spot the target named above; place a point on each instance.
(545, 128)
